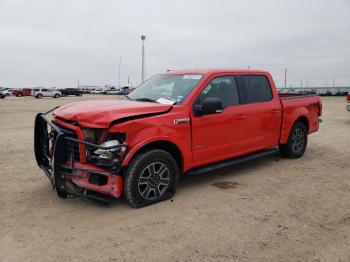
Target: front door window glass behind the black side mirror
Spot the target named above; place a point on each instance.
(224, 88)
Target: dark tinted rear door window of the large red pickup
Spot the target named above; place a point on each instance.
(256, 88)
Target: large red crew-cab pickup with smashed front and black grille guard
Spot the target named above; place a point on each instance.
(189, 121)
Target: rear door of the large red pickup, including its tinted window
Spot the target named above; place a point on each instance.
(262, 112)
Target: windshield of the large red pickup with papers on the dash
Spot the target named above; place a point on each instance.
(166, 89)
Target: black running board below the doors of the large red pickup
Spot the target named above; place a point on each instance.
(232, 162)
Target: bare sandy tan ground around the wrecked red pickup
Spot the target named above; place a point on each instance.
(274, 209)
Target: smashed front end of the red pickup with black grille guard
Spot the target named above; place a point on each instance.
(60, 152)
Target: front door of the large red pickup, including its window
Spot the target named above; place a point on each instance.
(216, 136)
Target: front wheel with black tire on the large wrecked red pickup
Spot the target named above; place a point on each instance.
(151, 177)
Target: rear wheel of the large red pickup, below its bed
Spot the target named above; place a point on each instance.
(297, 141)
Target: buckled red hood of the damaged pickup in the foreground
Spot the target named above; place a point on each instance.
(100, 113)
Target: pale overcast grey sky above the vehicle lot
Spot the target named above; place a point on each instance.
(56, 43)
